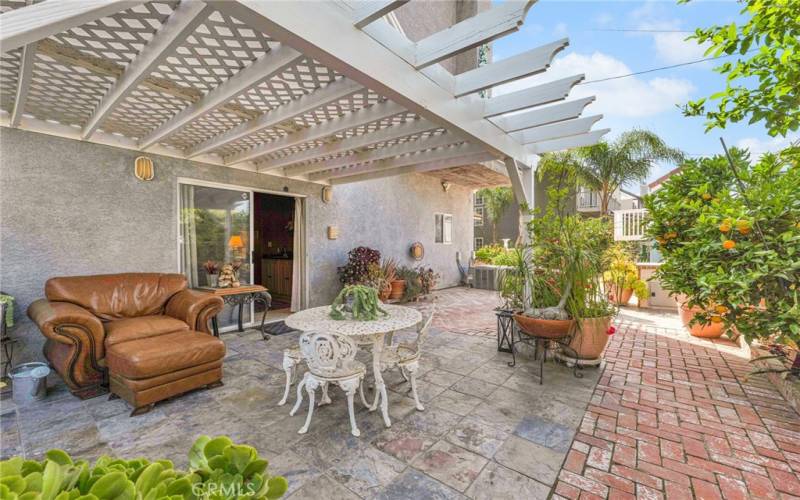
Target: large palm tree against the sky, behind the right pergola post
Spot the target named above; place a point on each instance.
(606, 166)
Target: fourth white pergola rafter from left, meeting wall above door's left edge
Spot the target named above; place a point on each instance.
(319, 98)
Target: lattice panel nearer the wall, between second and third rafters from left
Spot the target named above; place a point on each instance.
(142, 111)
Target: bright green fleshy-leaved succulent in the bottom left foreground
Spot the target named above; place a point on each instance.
(218, 469)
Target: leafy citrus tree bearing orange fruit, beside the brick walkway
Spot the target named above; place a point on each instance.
(730, 237)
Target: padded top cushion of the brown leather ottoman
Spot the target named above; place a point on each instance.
(153, 356)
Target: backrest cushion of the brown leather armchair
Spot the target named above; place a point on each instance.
(116, 296)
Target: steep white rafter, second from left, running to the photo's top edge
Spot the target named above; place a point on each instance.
(180, 24)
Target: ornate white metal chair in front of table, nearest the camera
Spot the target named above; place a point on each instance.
(331, 360)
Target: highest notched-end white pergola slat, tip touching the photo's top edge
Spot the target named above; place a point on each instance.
(470, 33)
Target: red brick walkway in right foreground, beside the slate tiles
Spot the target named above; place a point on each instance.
(675, 417)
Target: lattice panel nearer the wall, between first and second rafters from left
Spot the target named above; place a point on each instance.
(64, 93)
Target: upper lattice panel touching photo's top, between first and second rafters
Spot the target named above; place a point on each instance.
(120, 37)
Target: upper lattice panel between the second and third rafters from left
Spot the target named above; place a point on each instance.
(218, 49)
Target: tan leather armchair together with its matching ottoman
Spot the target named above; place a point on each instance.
(143, 336)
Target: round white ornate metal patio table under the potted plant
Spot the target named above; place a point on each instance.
(364, 333)
